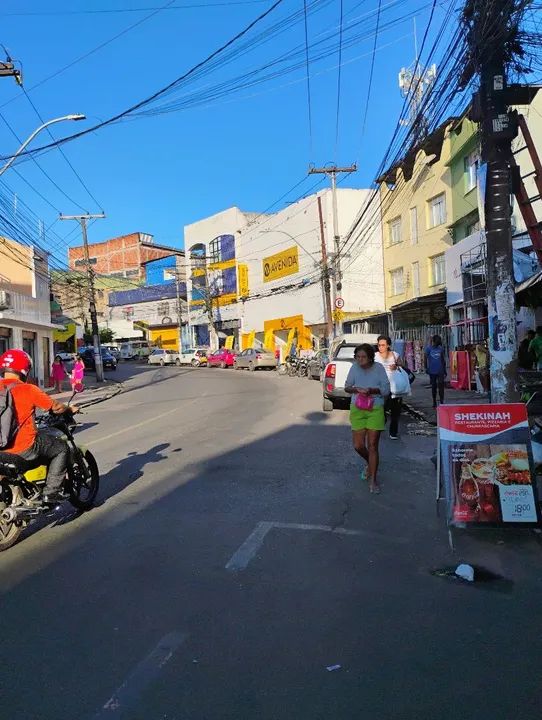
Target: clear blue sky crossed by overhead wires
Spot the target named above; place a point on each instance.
(156, 174)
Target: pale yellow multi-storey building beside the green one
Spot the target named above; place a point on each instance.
(415, 197)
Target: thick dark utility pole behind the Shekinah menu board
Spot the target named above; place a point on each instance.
(489, 25)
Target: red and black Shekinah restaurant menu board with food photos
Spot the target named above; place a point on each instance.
(486, 465)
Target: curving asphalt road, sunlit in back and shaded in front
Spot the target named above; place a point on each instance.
(235, 555)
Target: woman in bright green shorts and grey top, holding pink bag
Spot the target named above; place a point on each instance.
(369, 386)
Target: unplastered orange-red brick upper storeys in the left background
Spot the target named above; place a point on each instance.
(122, 256)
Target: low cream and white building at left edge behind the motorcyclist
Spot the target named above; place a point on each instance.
(25, 311)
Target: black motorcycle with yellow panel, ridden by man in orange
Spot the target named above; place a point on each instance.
(22, 481)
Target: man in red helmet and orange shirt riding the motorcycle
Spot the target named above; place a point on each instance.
(28, 442)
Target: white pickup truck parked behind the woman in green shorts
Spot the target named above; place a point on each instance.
(336, 371)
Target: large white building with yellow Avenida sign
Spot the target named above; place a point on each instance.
(282, 254)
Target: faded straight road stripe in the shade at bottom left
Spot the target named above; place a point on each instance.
(146, 672)
